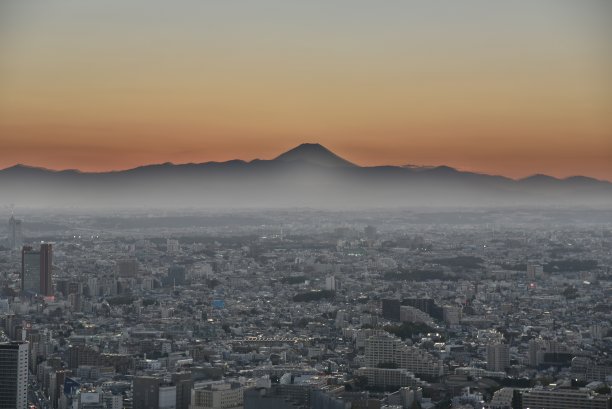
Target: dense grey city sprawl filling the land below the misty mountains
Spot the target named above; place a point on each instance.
(301, 308)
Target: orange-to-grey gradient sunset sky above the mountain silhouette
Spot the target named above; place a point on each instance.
(513, 88)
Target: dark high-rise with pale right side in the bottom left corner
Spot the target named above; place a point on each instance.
(14, 375)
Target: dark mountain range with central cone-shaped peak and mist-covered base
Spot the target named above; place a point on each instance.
(309, 175)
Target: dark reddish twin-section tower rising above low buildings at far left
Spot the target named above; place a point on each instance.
(36, 270)
